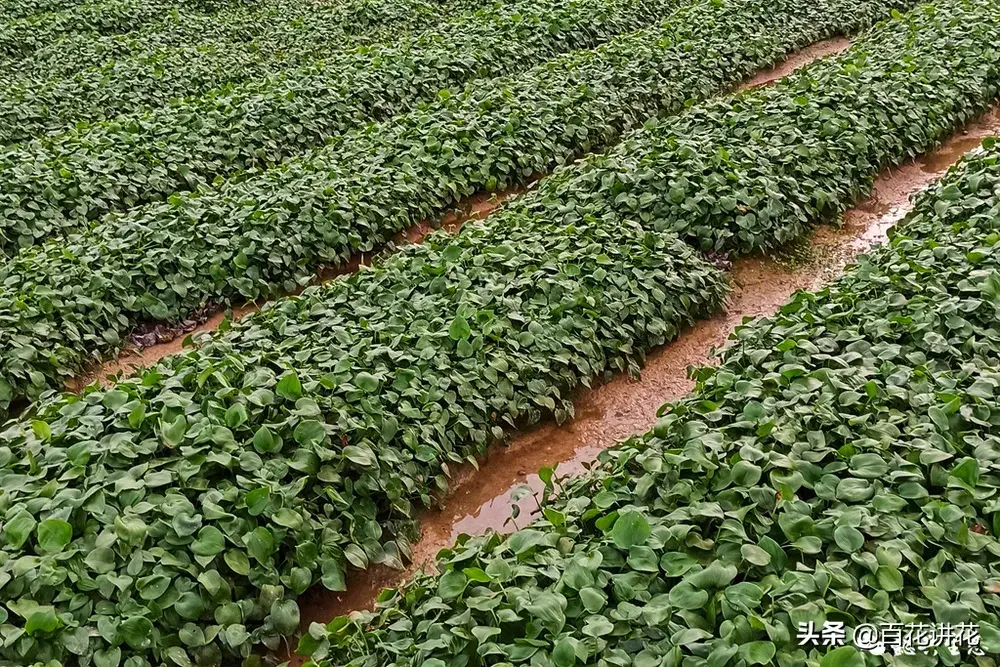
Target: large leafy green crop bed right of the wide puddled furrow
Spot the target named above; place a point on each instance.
(841, 464)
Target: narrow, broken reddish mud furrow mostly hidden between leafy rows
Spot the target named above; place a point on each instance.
(169, 339)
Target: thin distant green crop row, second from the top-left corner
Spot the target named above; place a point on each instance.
(73, 52)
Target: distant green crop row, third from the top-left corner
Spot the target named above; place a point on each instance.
(31, 107)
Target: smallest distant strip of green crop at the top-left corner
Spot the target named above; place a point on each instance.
(99, 16)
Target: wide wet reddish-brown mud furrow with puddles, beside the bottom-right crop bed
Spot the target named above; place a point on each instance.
(481, 500)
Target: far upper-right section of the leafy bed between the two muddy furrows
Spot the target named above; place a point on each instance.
(740, 174)
